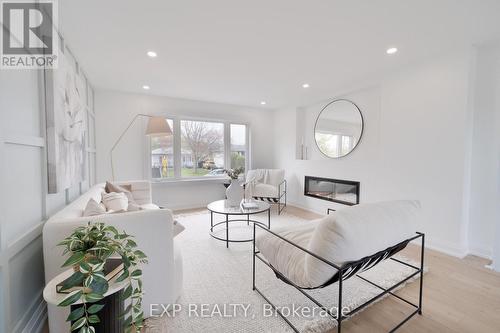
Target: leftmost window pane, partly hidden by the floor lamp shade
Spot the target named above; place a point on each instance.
(162, 155)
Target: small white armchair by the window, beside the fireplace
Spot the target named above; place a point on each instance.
(267, 185)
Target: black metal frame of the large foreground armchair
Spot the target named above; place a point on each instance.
(346, 271)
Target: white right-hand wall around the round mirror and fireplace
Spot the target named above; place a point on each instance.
(412, 147)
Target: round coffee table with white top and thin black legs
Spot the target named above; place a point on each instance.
(223, 208)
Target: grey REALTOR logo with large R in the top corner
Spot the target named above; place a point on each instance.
(29, 35)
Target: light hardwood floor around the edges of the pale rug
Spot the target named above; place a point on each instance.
(460, 295)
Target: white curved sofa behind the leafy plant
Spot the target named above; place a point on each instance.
(153, 231)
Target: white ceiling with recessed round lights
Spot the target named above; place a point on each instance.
(243, 52)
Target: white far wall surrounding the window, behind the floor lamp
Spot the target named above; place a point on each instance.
(116, 110)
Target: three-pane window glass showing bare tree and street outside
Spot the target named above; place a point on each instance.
(199, 149)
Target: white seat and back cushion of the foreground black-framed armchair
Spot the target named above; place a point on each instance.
(353, 233)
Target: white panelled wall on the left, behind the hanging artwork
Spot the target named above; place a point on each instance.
(24, 202)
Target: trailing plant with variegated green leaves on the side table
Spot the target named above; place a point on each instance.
(89, 247)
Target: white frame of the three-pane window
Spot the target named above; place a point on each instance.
(178, 153)
